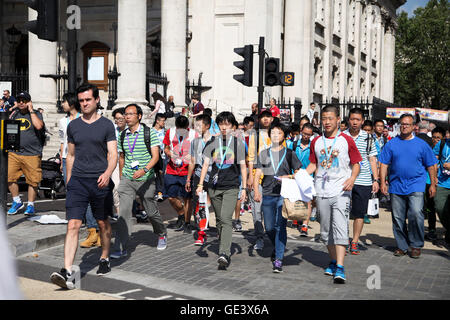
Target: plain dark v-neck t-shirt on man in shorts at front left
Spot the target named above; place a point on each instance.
(91, 150)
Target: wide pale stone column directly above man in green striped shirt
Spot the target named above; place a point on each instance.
(131, 52)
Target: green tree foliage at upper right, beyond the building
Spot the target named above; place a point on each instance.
(422, 61)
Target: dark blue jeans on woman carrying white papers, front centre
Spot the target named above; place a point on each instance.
(275, 224)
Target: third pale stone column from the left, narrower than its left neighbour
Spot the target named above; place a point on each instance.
(173, 47)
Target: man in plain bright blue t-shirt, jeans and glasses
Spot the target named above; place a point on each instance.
(409, 158)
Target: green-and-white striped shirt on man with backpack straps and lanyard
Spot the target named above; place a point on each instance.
(139, 153)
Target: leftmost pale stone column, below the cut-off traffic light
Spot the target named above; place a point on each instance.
(41, 60)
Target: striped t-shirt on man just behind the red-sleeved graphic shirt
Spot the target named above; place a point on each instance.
(362, 142)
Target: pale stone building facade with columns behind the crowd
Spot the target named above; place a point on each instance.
(338, 49)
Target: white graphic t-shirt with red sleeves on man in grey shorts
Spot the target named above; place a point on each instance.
(333, 170)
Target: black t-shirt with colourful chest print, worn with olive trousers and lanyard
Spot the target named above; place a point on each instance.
(225, 154)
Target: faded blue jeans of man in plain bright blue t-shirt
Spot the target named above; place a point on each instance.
(408, 207)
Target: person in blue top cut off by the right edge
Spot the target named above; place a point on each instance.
(442, 198)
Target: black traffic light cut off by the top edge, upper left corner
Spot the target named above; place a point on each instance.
(46, 25)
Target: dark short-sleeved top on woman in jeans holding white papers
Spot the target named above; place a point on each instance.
(285, 161)
